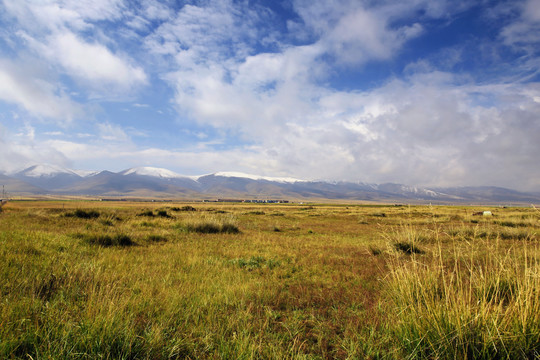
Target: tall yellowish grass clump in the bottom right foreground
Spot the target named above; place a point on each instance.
(479, 302)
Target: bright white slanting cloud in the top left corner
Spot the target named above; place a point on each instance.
(64, 34)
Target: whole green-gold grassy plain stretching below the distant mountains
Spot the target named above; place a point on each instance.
(118, 280)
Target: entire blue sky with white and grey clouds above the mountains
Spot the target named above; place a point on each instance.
(418, 92)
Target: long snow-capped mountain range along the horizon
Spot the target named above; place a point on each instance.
(151, 182)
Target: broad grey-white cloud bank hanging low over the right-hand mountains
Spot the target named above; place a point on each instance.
(432, 129)
